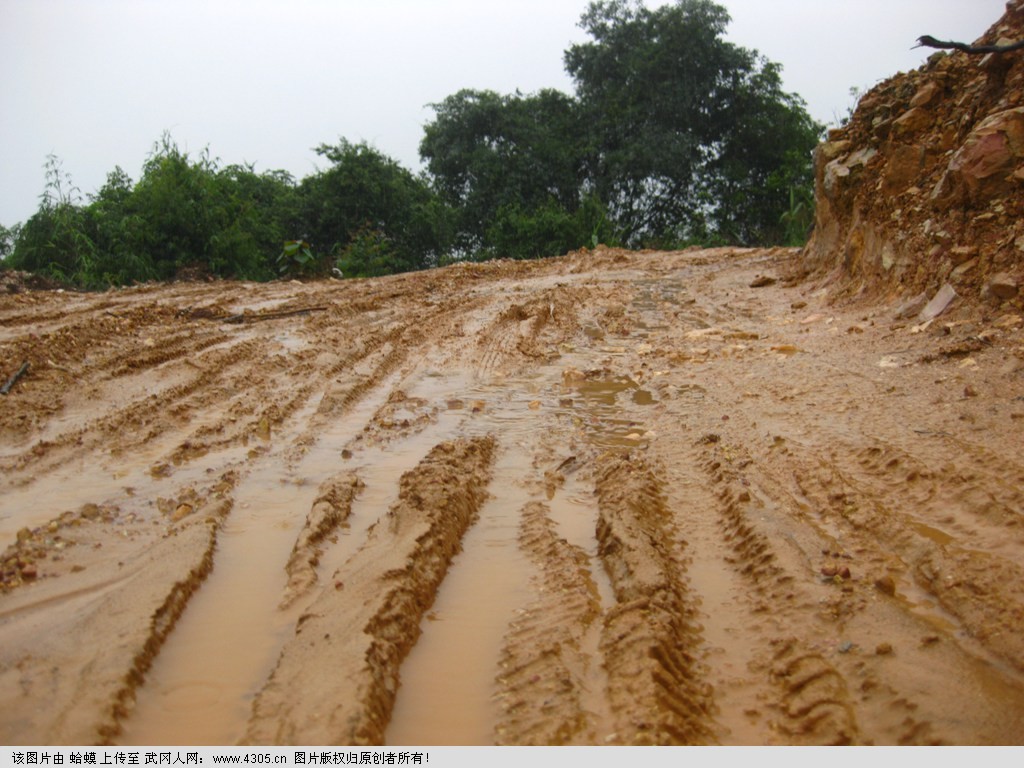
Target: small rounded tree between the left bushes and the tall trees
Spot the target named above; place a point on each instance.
(369, 215)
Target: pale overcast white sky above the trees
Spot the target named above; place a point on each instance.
(97, 82)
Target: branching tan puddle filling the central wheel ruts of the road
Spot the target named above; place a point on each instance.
(226, 646)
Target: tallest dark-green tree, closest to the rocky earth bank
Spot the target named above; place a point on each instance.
(692, 138)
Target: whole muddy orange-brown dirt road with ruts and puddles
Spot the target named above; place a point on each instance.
(613, 498)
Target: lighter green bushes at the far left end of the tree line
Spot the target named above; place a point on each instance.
(184, 215)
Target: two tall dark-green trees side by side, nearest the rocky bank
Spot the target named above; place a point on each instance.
(678, 136)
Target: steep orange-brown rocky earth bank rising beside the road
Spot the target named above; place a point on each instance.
(924, 187)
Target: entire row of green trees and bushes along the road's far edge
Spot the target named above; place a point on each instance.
(673, 137)
